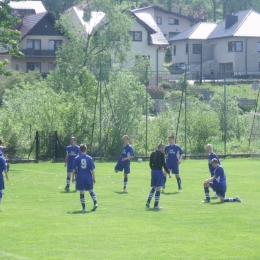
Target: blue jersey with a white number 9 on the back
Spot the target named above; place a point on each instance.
(84, 165)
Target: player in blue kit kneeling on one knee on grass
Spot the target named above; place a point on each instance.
(218, 183)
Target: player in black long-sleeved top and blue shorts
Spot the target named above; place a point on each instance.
(157, 161)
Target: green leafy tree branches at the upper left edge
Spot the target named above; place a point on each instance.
(9, 38)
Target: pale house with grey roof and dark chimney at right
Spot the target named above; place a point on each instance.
(226, 49)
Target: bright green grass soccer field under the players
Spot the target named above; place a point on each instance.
(39, 220)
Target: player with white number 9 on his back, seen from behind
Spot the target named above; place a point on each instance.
(85, 176)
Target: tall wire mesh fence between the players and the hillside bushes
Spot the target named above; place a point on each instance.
(220, 108)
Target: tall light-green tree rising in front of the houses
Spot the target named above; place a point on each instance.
(108, 43)
